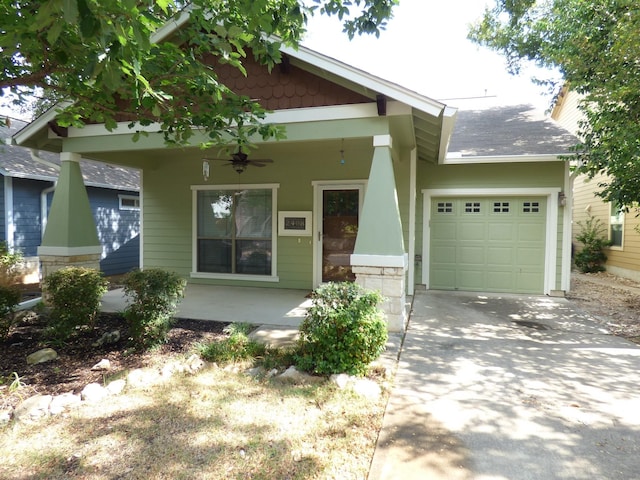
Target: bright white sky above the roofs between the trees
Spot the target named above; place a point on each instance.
(425, 49)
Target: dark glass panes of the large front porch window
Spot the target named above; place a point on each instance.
(235, 231)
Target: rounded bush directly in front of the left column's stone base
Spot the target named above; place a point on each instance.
(74, 294)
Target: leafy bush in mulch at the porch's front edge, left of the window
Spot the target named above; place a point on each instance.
(155, 296)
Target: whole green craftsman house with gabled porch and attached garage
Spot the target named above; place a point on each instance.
(371, 184)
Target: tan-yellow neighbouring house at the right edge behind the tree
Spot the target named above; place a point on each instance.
(623, 256)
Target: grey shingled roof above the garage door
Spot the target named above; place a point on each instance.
(508, 131)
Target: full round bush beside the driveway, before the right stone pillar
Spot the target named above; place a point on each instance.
(343, 331)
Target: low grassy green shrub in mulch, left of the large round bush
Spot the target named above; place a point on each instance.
(235, 347)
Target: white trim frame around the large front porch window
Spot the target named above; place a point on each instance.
(273, 278)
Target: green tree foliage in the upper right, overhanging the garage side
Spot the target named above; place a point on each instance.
(596, 46)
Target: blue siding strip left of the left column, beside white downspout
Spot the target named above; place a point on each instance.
(27, 222)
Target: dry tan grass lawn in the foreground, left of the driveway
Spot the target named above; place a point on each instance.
(214, 425)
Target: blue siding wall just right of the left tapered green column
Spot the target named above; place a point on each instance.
(117, 230)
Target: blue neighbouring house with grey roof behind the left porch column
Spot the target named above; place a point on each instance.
(27, 188)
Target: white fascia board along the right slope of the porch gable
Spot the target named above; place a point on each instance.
(360, 77)
